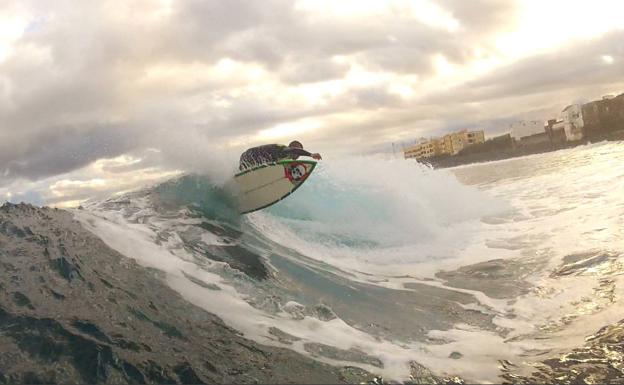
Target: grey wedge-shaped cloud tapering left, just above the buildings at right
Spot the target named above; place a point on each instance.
(556, 77)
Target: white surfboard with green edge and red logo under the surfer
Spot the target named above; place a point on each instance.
(265, 185)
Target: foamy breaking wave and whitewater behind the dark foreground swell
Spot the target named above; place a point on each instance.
(483, 271)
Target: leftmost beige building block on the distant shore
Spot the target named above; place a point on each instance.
(449, 144)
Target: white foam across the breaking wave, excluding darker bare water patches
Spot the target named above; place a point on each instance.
(394, 224)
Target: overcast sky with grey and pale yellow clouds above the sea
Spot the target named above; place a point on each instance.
(98, 97)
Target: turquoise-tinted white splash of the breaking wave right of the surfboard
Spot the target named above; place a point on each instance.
(380, 216)
